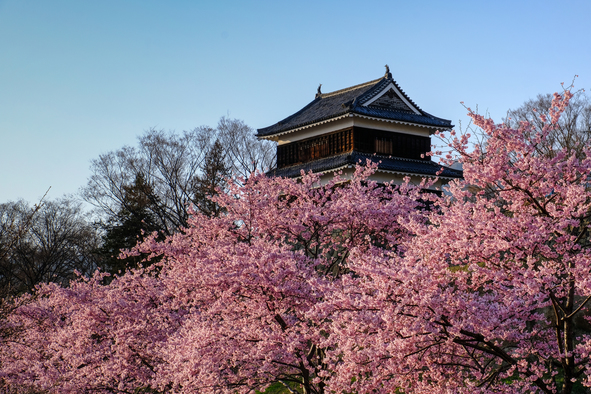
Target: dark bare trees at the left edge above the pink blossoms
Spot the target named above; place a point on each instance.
(56, 241)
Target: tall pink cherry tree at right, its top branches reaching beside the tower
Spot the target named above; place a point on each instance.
(491, 295)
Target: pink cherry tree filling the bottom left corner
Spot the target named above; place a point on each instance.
(86, 338)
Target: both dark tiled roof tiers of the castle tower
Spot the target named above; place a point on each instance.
(381, 99)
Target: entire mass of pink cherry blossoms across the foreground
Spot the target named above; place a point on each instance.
(347, 287)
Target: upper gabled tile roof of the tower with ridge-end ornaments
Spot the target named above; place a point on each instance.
(381, 98)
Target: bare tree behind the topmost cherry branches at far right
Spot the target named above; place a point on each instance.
(574, 128)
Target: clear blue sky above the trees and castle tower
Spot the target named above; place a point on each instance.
(80, 78)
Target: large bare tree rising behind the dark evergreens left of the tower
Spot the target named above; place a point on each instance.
(167, 162)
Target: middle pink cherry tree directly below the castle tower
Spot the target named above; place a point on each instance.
(278, 253)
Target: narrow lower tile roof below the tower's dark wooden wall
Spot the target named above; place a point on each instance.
(392, 164)
